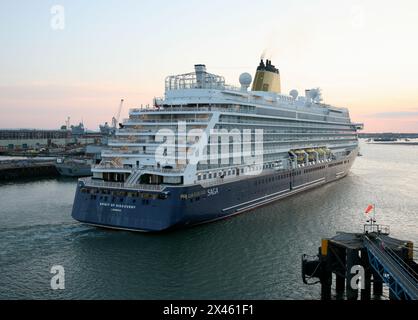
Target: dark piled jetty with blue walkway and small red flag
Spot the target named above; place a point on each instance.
(362, 261)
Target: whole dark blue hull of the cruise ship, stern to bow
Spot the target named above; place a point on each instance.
(183, 206)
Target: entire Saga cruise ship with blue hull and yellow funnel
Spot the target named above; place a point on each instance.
(208, 150)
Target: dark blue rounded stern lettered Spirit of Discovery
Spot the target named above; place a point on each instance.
(148, 211)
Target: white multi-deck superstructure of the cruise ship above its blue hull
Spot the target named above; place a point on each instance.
(297, 131)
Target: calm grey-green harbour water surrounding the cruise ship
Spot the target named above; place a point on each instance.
(252, 256)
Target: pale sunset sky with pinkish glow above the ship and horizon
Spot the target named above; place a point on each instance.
(362, 54)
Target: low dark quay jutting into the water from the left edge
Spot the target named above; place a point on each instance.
(16, 169)
